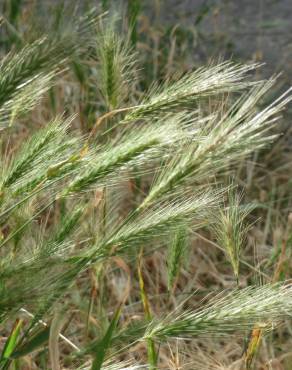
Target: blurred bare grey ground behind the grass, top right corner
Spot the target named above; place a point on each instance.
(246, 29)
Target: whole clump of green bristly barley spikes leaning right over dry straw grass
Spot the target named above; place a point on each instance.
(171, 137)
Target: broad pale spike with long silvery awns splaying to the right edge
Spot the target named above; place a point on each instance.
(223, 141)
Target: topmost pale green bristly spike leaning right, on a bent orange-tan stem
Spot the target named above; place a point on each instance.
(185, 92)
